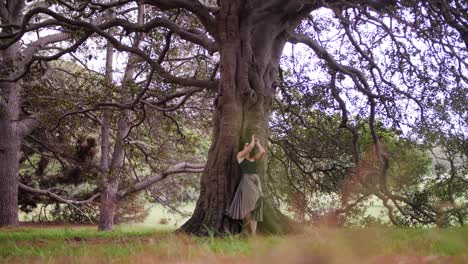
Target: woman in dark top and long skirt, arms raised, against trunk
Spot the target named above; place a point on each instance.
(247, 203)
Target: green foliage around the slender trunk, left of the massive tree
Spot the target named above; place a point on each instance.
(155, 144)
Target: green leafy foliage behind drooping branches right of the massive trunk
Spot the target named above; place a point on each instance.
(311, 163)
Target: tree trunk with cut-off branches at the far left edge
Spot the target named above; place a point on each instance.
(17, 58)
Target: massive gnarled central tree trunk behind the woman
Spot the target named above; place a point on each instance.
(251, 43)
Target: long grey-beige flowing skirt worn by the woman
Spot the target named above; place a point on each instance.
(248, 198)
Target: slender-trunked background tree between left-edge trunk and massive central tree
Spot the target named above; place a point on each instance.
(110, 174)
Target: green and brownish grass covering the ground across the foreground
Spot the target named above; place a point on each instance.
(316, 245)
